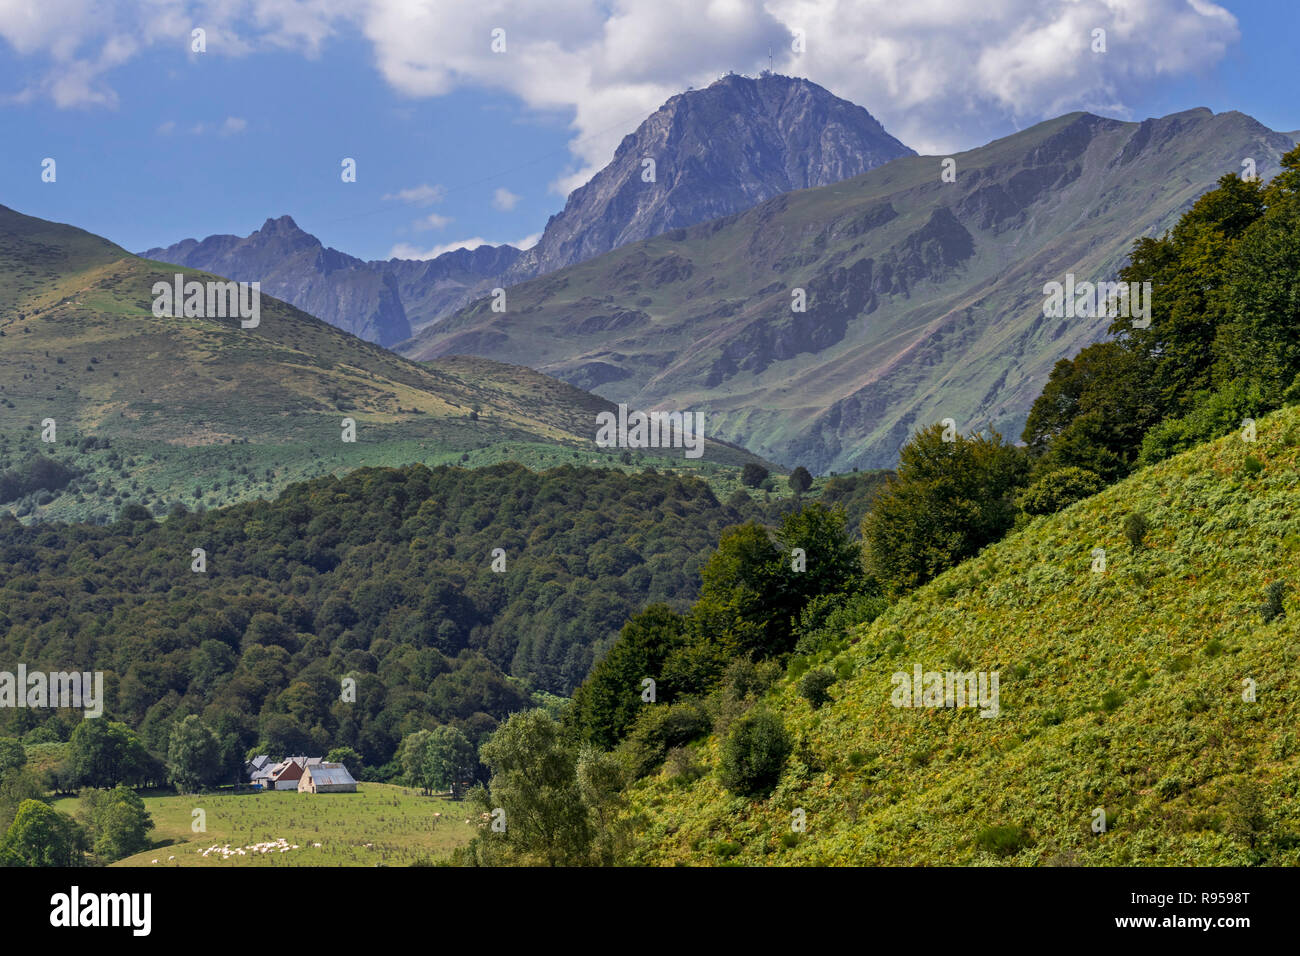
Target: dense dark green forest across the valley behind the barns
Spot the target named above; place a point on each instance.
(449, 596)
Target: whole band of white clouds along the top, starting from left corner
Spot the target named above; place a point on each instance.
(939, 75)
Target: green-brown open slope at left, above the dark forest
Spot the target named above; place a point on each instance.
(80, 345)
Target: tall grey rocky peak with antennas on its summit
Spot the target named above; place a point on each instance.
(716, 153)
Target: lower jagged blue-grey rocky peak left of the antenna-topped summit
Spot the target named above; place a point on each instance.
(296, 267)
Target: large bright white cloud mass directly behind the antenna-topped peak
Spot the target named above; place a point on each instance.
(937, 77)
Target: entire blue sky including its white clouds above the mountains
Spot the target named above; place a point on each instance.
(454, 144)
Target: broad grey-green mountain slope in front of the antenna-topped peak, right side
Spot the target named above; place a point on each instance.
(925, 299)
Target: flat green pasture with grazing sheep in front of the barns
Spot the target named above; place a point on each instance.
(379, 825)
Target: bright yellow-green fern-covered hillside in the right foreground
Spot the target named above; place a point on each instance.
(1120, 690)
